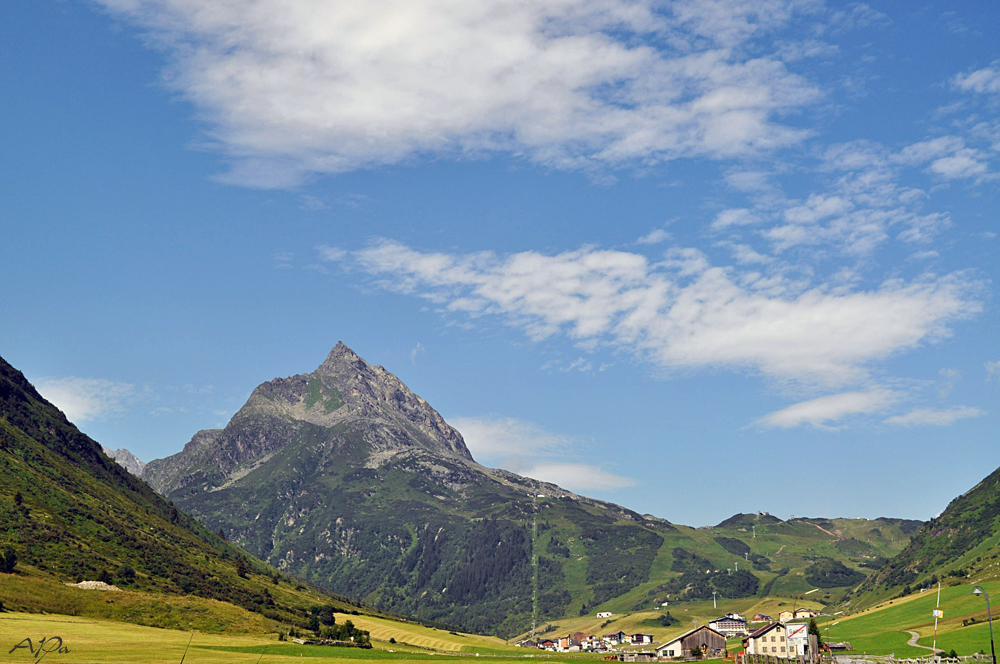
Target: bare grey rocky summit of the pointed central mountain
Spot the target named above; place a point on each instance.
(343, 394)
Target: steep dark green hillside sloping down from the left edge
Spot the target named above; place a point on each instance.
(69, 513)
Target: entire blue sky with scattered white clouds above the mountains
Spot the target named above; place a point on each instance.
(695, 257)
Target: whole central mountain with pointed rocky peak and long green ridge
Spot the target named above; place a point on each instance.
(346, 477)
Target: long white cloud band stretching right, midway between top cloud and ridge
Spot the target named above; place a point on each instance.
(683, 312)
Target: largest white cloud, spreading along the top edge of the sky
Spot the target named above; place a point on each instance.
(291, 88)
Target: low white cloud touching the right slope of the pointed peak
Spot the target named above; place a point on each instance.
(527, 449)
